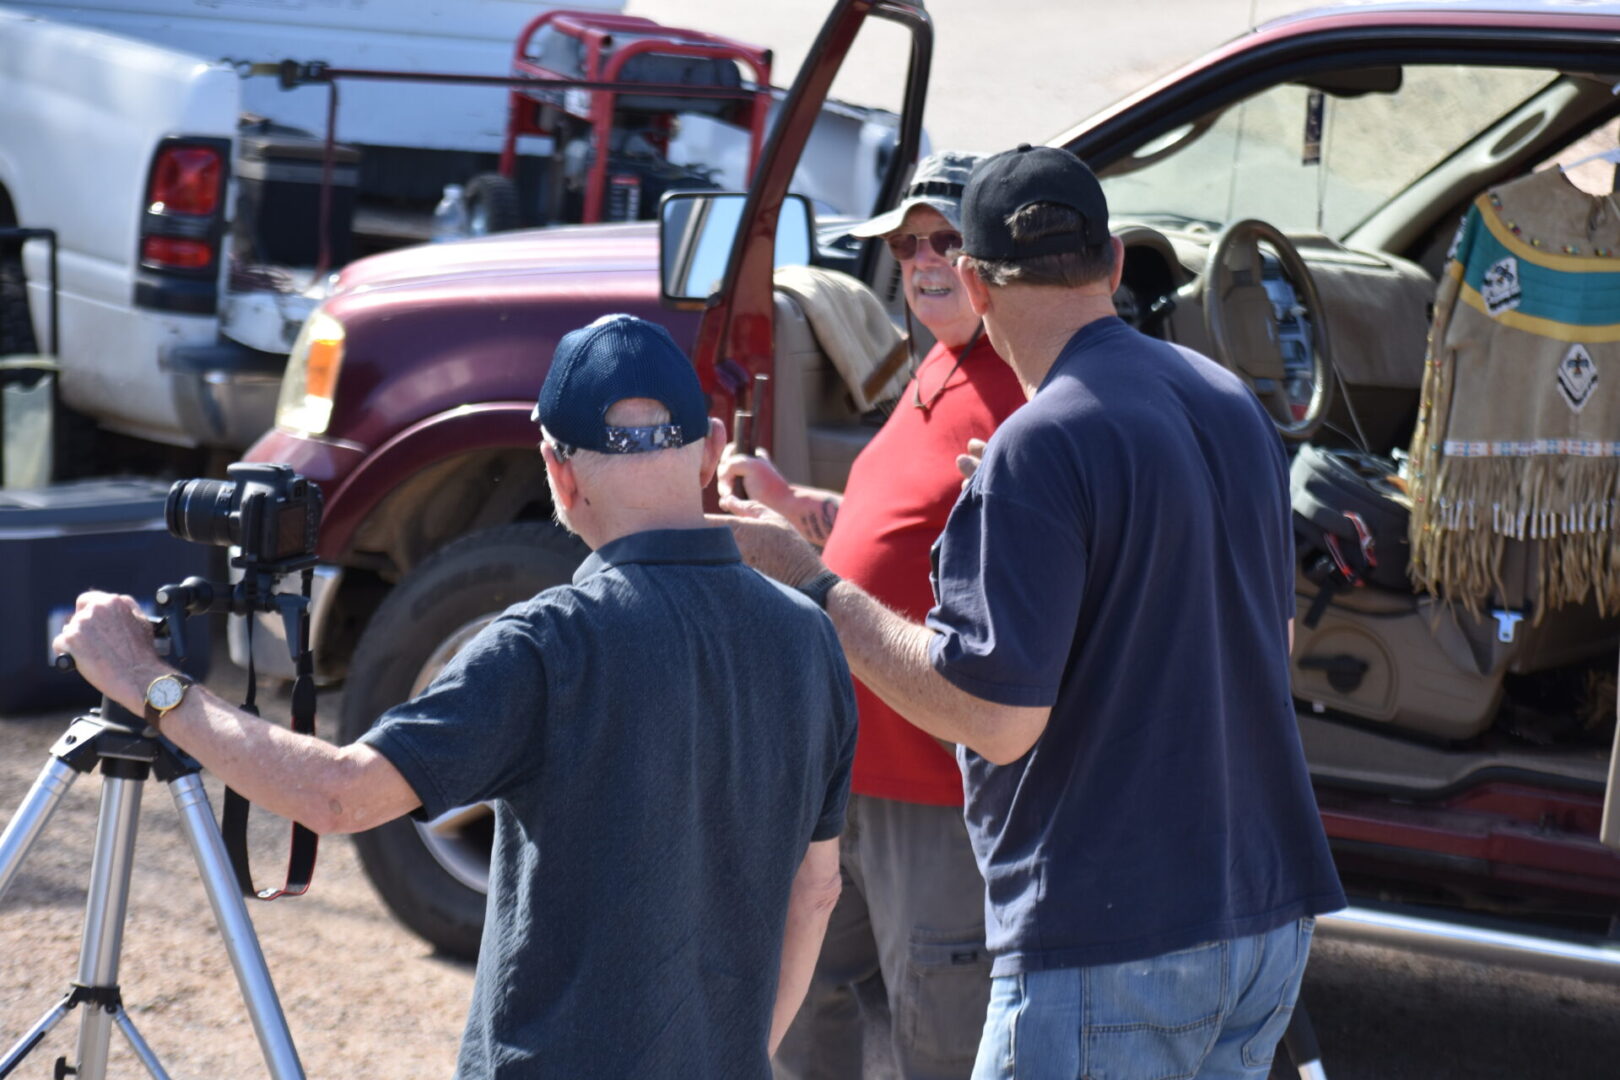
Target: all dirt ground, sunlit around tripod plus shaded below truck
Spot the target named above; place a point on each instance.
(365, 998)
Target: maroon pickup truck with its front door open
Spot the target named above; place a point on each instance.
(1326, 159)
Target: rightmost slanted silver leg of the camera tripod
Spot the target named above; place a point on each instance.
(231, 912)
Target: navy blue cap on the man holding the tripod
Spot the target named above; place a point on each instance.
(605, 364)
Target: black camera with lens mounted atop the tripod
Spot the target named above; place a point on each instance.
(268, 511)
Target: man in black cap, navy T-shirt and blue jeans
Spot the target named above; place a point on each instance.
(1111, 648)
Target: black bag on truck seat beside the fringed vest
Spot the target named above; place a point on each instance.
(1350, 521)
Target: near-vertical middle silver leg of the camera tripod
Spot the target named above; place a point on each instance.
(109, 901)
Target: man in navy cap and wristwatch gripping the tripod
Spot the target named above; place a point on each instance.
(667, 744)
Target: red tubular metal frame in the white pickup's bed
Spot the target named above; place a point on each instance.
(597, 49)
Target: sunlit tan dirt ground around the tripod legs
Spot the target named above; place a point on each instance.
(364, 997)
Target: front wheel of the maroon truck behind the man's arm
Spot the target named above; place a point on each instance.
(435, 875)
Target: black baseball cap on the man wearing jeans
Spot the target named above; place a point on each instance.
(1007, 184)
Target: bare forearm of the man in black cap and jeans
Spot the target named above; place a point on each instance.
(890, 655)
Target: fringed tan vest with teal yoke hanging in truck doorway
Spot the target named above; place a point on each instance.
(1519, 428)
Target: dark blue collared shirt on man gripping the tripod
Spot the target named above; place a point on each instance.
(662, 741)
